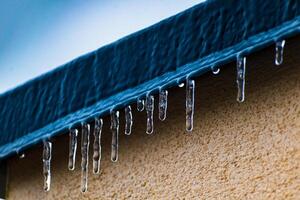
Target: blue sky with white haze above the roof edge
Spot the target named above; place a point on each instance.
(39, 35)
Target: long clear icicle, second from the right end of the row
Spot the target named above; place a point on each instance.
(240, 79)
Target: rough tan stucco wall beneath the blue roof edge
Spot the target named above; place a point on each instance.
(236, 151)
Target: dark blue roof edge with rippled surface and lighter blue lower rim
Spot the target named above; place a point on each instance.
(187, 44)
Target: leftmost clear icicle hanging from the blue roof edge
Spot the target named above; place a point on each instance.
(46, 164)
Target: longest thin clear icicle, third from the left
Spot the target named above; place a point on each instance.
(85, 142)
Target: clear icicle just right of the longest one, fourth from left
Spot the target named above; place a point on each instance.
(97, 145)
